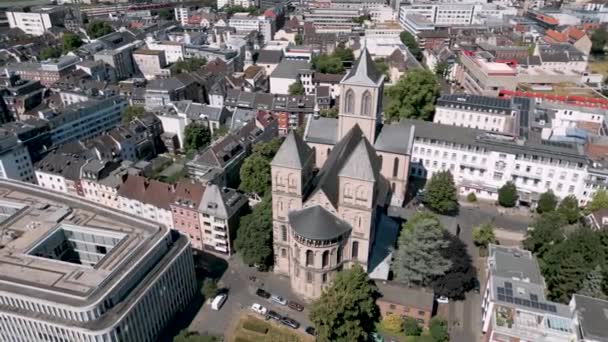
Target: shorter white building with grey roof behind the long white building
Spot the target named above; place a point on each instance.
(479, 112)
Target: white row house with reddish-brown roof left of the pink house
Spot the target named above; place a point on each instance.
(147, 198)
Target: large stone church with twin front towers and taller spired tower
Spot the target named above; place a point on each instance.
(331, 188)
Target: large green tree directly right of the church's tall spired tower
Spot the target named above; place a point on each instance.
(413, 96)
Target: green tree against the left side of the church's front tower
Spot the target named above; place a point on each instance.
(254, 237)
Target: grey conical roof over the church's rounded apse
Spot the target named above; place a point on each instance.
(317, 223)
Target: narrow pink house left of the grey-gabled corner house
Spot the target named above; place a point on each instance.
(186, 201)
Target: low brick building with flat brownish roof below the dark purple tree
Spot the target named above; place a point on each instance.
(403, 301)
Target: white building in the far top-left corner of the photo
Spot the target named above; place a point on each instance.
(36, 22)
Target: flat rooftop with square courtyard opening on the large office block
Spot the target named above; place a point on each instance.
(64, 249)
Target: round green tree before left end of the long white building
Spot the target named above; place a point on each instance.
(440, 193)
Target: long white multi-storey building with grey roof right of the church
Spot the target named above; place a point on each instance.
(482, 162)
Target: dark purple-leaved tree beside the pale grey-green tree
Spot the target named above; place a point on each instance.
(458, 279)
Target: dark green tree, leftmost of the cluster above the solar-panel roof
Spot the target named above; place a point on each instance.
(546, 231)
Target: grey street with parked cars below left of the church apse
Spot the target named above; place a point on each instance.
(241, 294)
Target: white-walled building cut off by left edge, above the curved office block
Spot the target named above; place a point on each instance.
(15, 161)
